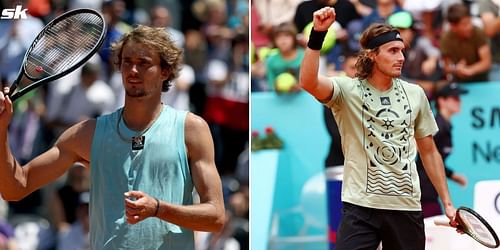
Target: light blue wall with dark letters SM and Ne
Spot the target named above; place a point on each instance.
(476, 134)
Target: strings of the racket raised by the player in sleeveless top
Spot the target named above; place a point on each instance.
(64, 44)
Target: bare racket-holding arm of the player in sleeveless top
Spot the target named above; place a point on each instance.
(17, 181)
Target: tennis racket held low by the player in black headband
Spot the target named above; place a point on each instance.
(475, 226)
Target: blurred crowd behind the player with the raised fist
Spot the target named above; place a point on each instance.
(447, 40)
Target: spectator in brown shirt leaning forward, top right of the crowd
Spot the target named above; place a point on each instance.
(465, 49)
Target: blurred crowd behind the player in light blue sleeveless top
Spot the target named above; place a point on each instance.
(213, 83)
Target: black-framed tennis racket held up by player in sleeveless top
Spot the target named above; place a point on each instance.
(63, 45)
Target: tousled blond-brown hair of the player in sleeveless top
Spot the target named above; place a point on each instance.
(158, 39)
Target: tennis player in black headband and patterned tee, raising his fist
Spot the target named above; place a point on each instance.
(383, 121)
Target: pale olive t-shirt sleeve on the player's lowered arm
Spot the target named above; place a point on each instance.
(425, 124)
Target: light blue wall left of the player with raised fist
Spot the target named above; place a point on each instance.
(297, 119)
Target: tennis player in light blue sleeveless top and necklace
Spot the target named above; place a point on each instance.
(145, 159)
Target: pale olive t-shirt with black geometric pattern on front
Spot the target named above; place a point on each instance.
(378, 140)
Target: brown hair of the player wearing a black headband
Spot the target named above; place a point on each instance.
(364, 65)
